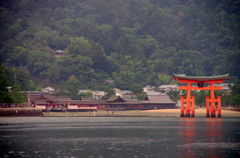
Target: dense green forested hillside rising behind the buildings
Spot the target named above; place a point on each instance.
(129, 41)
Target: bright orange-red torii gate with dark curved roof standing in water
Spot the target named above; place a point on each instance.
(211, 101)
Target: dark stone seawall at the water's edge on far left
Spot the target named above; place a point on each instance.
(17, 112)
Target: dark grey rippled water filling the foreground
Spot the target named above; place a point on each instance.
(120, 137)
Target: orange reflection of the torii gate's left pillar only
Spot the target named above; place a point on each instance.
(187, 136)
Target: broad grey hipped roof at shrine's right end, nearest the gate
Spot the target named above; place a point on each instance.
(160, 99)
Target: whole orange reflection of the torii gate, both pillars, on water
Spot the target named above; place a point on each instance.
(197, 136)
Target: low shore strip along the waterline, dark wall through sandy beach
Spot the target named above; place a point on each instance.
(171, 113)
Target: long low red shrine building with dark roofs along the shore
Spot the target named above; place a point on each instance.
(45, 102)
